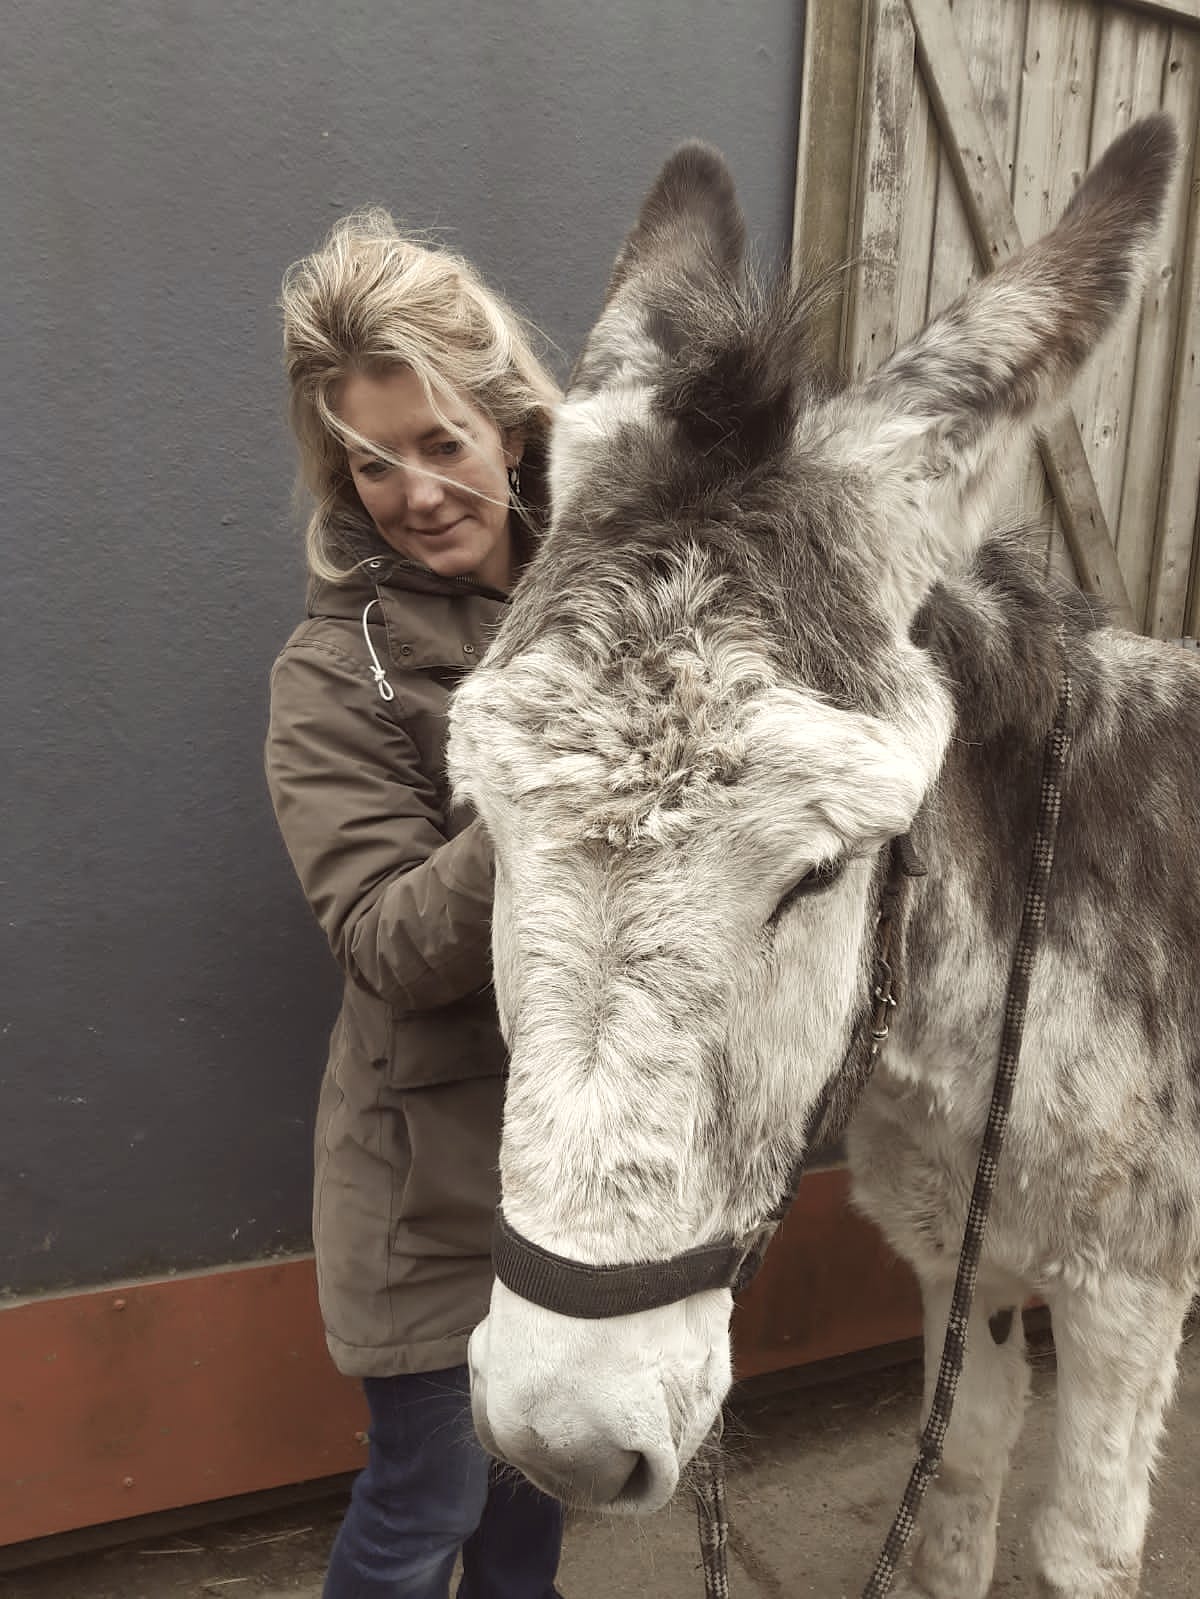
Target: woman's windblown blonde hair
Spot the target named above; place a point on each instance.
(372, 300)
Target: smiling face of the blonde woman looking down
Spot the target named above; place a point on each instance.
(449, 504)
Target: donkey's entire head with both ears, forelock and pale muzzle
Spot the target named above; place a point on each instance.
(698, 728)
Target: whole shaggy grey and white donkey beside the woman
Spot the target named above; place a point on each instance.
(770, 632)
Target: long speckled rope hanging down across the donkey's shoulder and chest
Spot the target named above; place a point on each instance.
(1025, 959)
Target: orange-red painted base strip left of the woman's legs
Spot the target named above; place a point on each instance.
(154, 1395)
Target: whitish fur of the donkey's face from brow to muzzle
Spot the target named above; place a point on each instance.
(670, 1037)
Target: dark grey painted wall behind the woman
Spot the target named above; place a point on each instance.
(166, 997)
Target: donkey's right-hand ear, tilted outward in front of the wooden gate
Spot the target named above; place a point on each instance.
(946, 410)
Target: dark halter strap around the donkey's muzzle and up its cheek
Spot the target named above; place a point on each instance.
(594, 1293)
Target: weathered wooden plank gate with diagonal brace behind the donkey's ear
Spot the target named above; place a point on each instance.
(937, 137)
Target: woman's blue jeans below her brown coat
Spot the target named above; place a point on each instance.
(428, 1493)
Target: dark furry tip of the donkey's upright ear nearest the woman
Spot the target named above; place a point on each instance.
(690, 220)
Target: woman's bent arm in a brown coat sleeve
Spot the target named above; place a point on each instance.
(406, 911)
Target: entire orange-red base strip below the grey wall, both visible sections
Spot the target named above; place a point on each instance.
(142, 1398)
